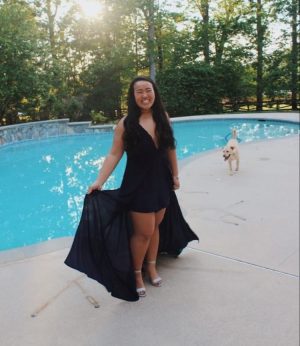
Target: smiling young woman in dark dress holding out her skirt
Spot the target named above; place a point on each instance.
(121, 231)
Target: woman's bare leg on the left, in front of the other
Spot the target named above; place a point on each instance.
(143, 228)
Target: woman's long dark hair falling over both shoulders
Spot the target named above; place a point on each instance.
(164, 131)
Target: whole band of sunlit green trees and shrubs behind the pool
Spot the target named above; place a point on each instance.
(56, 64)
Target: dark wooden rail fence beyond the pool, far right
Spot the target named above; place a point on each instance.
(251, 106)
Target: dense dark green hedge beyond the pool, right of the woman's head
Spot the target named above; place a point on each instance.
(200, 88)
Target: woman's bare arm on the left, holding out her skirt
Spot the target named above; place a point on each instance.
(112, 159)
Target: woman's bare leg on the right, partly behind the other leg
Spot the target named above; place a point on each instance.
(153, 246)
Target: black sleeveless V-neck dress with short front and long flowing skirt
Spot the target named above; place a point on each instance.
(101, 246)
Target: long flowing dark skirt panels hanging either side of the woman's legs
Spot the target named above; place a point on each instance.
(101, 246)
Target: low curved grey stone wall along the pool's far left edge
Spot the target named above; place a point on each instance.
(45, 129)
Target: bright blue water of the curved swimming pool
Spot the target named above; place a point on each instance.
(43, 182)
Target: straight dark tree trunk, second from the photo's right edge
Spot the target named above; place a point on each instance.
(259, 47)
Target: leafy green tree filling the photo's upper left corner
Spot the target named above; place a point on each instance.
(20, 61)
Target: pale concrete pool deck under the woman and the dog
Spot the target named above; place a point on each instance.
(239, 286)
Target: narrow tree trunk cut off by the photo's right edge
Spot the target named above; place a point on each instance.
(294, 55)
